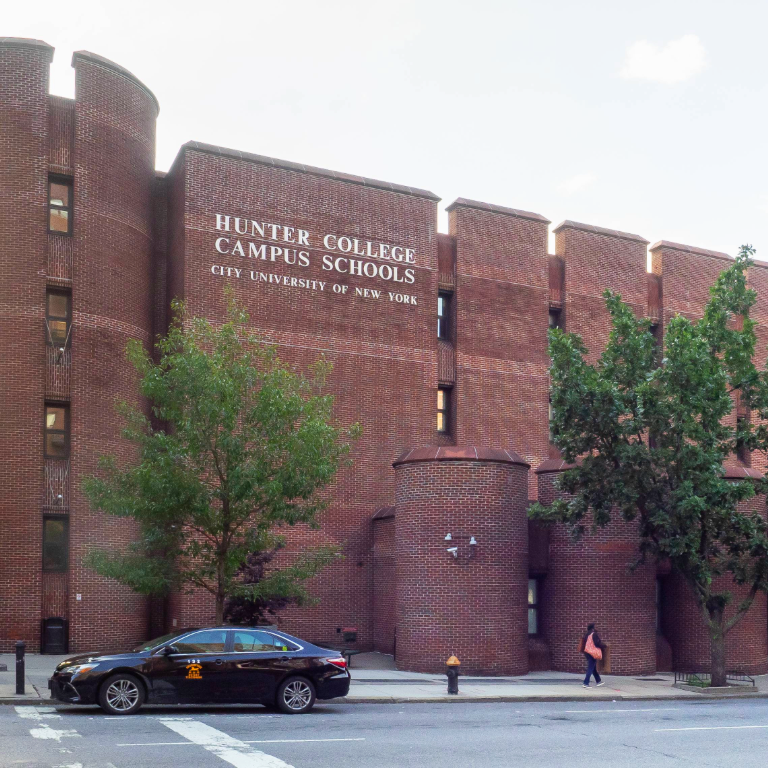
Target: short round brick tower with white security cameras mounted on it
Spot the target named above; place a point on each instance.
(471, 603)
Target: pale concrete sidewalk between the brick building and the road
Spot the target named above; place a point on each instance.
(375, 680)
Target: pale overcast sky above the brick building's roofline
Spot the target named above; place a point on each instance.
(643, 117)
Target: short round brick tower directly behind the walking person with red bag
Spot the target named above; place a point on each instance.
(590, 582)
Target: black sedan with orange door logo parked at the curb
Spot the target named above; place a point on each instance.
(221, 665)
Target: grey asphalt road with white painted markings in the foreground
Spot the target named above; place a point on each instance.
(338, 735)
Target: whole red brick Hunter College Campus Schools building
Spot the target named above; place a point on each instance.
(438, 343)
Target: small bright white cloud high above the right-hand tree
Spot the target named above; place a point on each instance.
(674, 62)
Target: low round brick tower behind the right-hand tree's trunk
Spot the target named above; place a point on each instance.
(746, 645)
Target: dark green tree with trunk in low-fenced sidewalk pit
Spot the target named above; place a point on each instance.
(648, 439)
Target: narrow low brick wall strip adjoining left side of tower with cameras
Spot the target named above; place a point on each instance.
(384, 585)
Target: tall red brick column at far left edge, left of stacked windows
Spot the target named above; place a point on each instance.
(23, 249)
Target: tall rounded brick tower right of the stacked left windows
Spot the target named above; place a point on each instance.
(112, 299)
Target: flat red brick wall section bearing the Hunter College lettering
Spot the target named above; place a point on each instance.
(383, 353)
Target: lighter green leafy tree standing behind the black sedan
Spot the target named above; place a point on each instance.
(239, 445)
